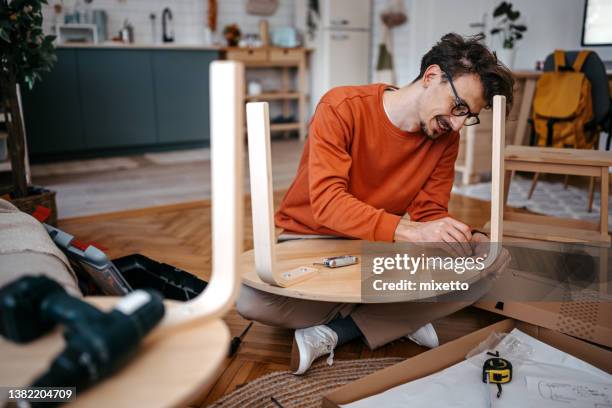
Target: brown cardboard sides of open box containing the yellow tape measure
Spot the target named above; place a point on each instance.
(454, 352)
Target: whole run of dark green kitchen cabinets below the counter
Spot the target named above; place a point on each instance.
(99, 101)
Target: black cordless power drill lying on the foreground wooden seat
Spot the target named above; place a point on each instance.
(97, 343)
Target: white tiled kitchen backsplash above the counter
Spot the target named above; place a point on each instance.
(189, 17)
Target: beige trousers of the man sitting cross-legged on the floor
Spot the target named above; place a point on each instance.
(380, 323)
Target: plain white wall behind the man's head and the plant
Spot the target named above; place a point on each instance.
(551, 24)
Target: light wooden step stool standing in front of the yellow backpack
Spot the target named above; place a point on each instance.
(558, 161)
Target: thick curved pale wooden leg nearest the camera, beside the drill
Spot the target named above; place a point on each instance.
(226, 107)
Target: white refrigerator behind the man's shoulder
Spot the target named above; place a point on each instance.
(342, 46)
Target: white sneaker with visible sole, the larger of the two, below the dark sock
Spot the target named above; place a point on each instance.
(312, 343)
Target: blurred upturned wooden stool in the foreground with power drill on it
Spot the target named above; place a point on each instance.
(182, 357)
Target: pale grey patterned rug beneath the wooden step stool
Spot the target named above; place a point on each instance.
(549, 198)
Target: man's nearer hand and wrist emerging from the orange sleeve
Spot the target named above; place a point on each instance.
(446, 229)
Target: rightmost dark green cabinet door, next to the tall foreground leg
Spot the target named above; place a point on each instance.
(182, 92)
